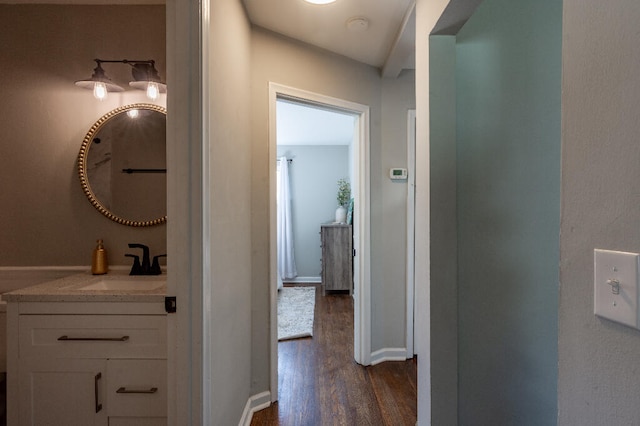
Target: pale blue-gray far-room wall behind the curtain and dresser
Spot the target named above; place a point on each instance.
(314, 174)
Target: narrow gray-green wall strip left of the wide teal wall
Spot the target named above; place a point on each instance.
(444, 249)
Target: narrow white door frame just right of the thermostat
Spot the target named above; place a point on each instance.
(411, 236)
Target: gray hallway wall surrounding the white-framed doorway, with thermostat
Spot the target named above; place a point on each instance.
(283, 61)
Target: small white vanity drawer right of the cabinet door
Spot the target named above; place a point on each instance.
(136, 388)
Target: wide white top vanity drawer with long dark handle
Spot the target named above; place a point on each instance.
(93, 336)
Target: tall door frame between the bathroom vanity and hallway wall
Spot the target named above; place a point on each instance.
(187, 130)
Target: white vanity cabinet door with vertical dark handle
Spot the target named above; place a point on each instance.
(59, 392)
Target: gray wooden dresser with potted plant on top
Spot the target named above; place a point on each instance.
(337, 257)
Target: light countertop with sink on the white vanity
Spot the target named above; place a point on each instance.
(67, 289)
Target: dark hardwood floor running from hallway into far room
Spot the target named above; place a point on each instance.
(321, 384)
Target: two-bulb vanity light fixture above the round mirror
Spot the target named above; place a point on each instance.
(145, 77)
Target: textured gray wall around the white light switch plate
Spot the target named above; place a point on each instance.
(598, 359)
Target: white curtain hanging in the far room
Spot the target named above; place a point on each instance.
(286, 259)
